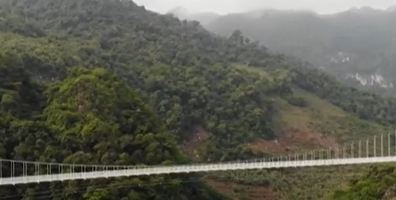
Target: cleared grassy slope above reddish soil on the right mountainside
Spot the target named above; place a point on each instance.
(321, 117)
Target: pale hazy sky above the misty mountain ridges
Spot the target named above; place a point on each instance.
(230, 6)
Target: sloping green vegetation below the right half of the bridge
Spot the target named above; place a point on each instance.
(305, 183)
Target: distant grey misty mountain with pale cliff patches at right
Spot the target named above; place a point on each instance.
(358, 45)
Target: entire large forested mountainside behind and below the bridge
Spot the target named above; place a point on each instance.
(106, 81)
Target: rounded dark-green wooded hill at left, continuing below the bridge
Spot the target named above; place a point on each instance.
(90, 117)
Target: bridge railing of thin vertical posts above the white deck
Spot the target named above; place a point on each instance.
(377, 146)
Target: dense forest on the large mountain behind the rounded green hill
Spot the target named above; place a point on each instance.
(177, 75)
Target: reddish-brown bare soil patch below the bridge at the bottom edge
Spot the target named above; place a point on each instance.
(239, 191)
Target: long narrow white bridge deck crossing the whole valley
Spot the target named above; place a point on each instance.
(191, 168)
